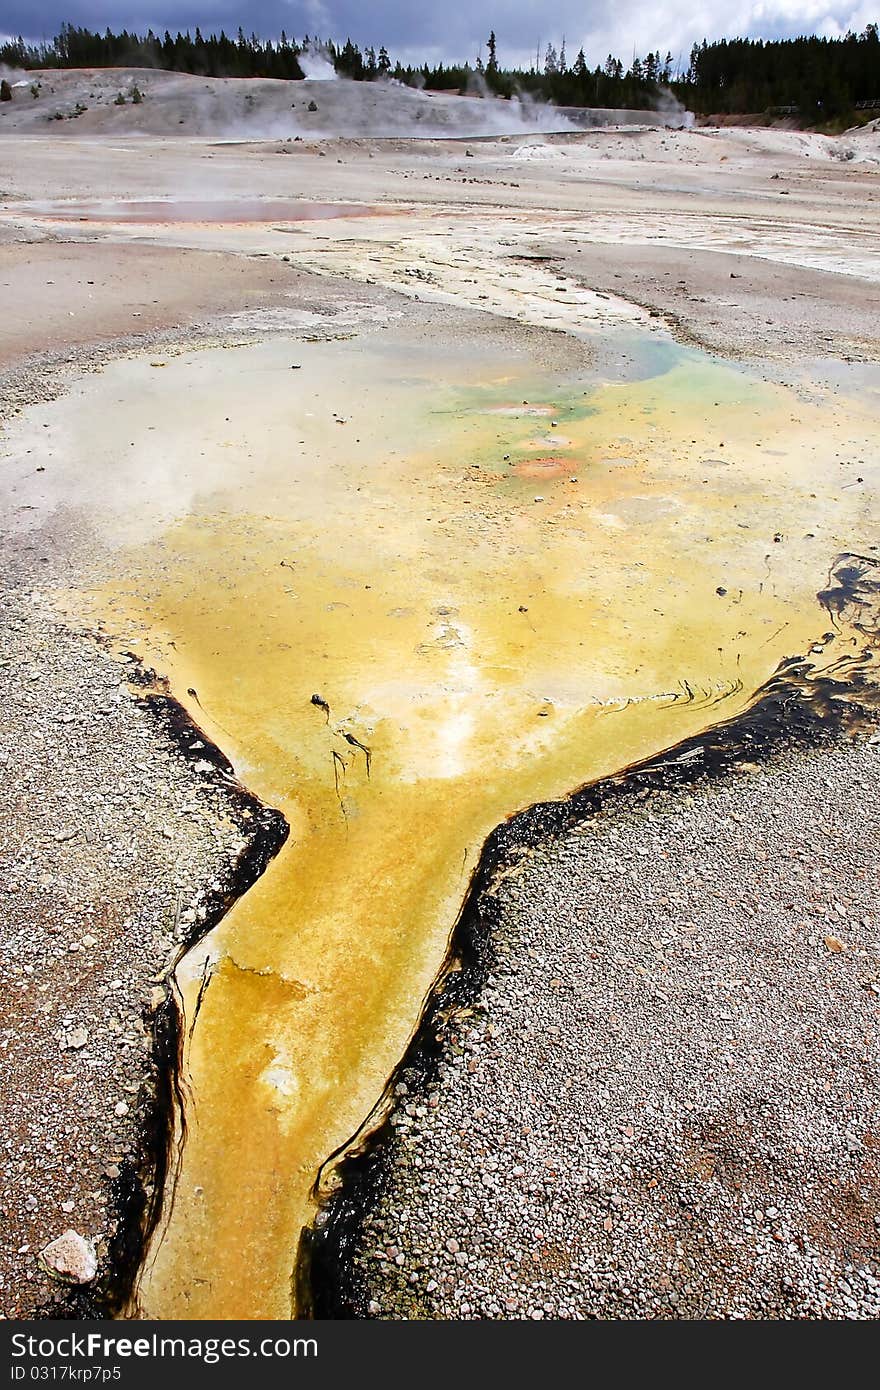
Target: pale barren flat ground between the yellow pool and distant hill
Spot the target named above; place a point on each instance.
(756, 243)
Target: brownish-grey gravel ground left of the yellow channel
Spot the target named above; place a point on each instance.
(117, 844)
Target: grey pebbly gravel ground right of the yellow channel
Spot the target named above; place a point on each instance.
(664, 1102)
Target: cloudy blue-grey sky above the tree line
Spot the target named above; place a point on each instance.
(455, 30)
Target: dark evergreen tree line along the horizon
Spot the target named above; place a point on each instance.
(821, 79)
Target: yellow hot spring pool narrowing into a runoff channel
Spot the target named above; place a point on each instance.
(354, 530)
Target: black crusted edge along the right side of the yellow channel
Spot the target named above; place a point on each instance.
(797, 707)
